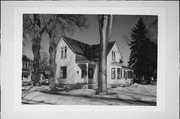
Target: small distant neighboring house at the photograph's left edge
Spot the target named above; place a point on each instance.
(27, 67)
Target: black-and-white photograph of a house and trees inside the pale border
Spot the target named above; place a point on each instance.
(80, 59)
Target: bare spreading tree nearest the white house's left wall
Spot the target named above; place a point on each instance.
(60, 24)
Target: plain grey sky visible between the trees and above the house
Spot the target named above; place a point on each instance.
(121, 31)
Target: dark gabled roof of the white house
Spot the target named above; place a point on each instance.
(86, 52)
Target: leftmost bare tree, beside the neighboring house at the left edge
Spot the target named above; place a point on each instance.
(32, 25)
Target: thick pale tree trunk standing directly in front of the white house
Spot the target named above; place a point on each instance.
(105, 25)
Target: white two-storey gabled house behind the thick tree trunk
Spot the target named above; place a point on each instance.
(77, 63)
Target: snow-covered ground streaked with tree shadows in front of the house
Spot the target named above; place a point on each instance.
(133, 95)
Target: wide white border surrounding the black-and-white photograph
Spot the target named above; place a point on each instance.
(168, 60)
